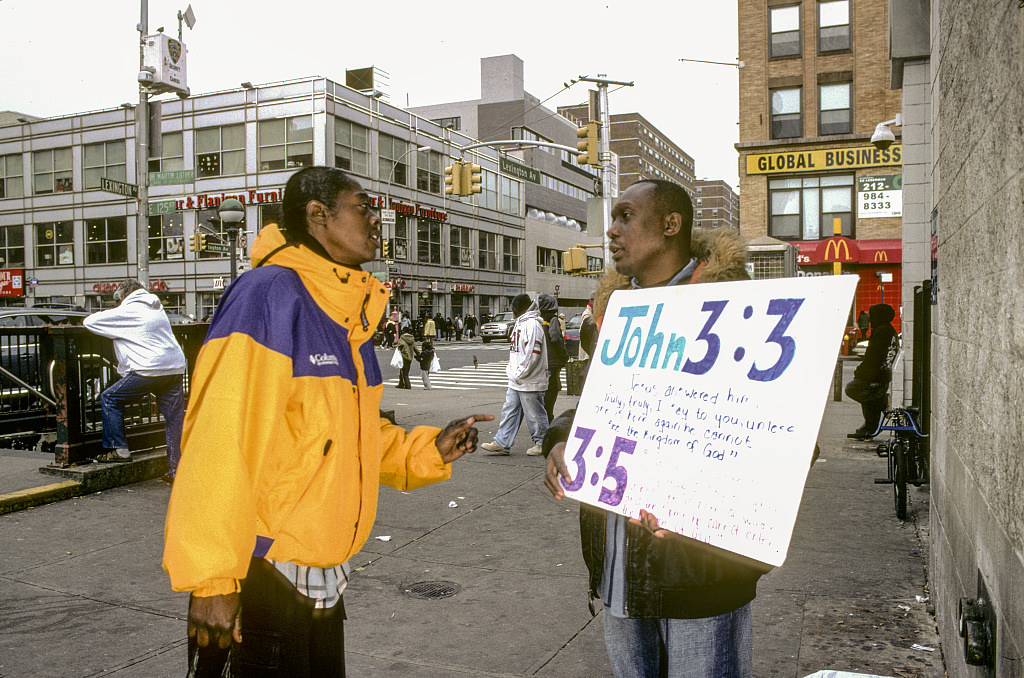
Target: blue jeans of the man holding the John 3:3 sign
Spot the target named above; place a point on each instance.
(711, 648)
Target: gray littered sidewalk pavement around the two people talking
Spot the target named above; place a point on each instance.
(481, 576)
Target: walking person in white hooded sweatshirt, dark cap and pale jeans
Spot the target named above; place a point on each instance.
(528, 373)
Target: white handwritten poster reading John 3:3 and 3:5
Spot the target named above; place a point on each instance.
(703, 405)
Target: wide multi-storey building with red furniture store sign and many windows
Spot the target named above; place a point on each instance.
(65, 240)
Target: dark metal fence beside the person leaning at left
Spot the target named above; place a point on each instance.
(51, 382)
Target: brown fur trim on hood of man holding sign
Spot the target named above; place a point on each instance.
(721, 256)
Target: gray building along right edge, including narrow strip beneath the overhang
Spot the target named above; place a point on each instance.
(958, 64)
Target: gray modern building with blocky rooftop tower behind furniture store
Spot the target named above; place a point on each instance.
(557, 188)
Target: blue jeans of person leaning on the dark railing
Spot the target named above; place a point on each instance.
(170, 400)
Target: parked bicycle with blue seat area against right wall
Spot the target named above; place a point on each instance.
(908, 462)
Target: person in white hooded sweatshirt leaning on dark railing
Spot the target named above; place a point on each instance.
(150, 361)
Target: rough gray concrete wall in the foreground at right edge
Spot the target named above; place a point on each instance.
(977, 515)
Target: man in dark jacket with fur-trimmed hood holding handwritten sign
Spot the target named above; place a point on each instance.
(674, 607)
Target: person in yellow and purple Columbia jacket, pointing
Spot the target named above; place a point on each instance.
(284, 445)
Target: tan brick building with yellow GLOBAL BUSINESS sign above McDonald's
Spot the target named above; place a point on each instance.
(814, 86)
